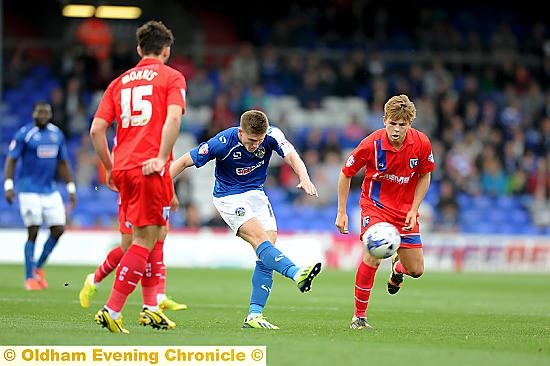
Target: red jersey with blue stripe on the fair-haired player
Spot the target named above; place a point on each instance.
(391, 175)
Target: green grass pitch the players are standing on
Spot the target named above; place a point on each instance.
(440, 319)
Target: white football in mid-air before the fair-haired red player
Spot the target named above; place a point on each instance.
(382, 240)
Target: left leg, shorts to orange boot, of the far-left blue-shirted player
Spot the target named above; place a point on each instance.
(31, 213)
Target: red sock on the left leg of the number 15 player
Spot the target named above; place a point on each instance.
(129, 273)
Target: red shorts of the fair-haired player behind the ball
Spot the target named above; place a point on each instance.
(409, 239)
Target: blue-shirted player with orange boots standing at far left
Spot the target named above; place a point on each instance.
(40, 146)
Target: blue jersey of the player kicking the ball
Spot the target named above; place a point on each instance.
(238, 170)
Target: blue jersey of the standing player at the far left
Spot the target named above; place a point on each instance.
(39, 150)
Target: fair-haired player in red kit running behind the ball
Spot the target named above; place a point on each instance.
(398, 163)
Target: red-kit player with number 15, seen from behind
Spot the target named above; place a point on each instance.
(147, 102)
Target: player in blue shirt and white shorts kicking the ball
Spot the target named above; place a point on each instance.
(242, 156)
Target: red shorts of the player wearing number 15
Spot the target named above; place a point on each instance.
(144, 199)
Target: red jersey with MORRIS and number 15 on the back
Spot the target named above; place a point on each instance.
(138, 100)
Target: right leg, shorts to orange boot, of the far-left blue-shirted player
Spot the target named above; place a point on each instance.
(53, 211)
